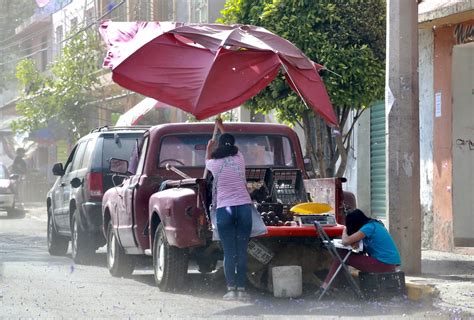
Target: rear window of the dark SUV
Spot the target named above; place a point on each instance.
(117, 146)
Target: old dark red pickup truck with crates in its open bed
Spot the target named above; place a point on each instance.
(164, 213)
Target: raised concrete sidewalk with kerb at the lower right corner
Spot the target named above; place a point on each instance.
(447, 279)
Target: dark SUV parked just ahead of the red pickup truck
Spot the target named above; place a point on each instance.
(74, 202)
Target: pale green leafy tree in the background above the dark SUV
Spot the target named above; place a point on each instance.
(64, 98)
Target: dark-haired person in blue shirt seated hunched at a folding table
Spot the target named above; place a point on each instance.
(382, 253)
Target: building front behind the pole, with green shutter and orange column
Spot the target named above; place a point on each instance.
(446, 97)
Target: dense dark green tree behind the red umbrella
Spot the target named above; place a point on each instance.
(348, 38)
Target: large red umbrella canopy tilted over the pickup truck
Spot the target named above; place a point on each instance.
(206, 69)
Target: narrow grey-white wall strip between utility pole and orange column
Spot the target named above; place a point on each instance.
(426, 47)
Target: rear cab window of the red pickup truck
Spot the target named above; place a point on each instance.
(257, 149)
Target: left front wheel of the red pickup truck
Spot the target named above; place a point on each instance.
(118, 263)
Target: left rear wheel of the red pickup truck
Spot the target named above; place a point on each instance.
(169, 263)
